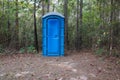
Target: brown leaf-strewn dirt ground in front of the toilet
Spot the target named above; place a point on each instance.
(75, 66)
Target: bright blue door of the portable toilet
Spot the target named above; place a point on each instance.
(53, 36)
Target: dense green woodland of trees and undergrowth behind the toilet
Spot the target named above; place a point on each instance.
(89, 24)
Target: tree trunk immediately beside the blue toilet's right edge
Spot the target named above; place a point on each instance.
(66, 24)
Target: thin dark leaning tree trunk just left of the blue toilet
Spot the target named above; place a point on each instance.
(35, 28)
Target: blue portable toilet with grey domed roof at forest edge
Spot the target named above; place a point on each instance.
(53, 34)
